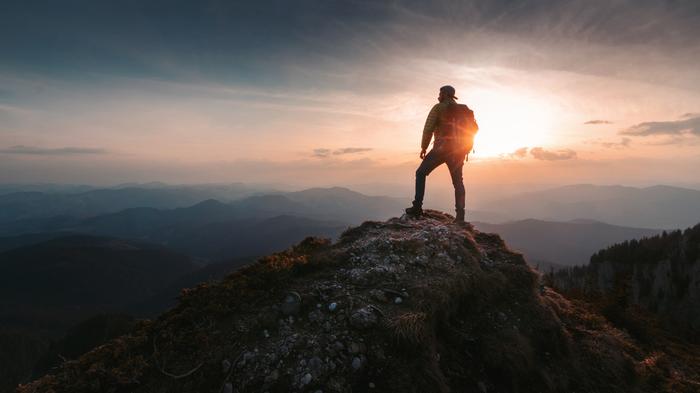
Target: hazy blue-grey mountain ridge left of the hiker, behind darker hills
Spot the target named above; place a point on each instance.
(215, 230)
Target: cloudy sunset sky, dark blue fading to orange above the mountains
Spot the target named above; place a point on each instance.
(308, 93)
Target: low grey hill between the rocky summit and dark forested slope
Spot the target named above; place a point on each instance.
(553, 244)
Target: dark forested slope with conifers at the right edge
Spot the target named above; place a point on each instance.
(660, 274)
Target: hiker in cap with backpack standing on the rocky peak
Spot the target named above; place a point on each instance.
(454, 128)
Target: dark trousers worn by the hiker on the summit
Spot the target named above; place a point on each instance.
(435, 158)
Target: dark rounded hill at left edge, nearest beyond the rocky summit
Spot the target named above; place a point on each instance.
(54, 284)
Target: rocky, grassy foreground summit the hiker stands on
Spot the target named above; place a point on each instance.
(406, 305)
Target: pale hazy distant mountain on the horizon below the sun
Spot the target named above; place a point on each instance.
(652, 207)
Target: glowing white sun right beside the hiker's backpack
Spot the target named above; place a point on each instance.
(508, 121)
